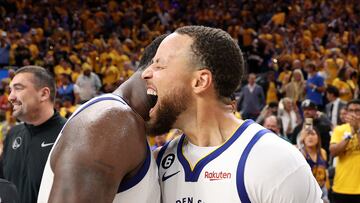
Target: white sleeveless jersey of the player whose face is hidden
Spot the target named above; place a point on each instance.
(143, 187)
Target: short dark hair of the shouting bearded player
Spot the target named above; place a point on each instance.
(215, 50)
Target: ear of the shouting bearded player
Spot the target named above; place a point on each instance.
(202, 80)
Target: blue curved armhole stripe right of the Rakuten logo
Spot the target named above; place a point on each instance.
(241, 166)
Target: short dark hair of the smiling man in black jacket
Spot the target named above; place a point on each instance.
(42, 77)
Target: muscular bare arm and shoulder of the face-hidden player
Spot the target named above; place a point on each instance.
(98, 148)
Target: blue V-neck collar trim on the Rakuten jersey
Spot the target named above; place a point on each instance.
(193, 176)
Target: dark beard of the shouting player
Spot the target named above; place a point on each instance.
(167, 113)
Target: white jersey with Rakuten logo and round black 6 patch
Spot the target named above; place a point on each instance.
(233, 172)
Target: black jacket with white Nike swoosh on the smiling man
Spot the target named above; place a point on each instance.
(26, 149)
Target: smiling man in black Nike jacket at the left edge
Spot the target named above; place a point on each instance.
(27, 145)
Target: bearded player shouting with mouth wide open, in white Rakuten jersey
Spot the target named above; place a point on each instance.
(219, 158)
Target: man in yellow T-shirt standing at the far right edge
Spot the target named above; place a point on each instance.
(345, 145)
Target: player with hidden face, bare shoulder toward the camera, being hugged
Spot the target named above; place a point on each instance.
(101, 154)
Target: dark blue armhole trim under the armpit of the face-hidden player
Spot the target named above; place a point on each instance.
(127, 184)
